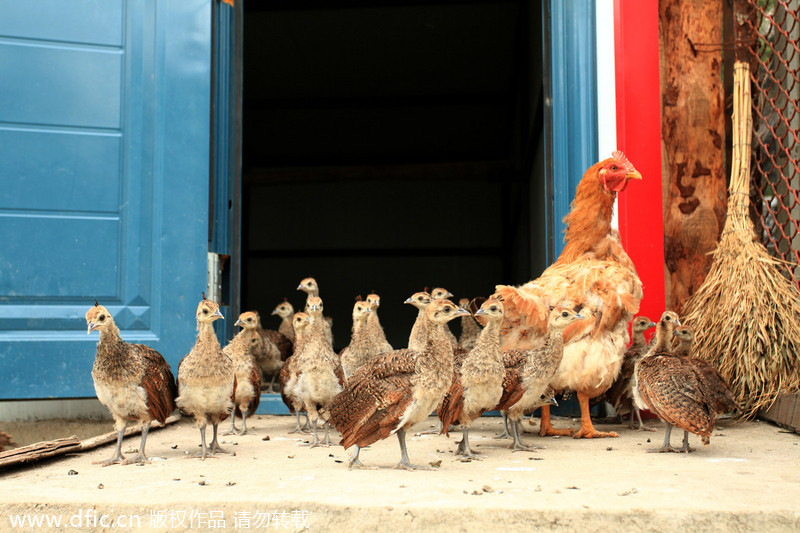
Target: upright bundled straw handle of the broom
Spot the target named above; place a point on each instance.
(737, 218)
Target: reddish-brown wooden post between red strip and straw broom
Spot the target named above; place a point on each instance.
(693, 133)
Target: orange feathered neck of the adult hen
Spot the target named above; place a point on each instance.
(589, 220)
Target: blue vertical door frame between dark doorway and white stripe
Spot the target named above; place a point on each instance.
(573, 106)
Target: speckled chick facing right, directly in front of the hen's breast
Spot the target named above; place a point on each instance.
(528, 372)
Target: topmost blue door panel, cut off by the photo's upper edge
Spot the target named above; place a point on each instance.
(76, 21)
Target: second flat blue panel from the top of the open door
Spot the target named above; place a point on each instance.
(69, 86)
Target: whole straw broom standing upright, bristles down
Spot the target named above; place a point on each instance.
(746, 314)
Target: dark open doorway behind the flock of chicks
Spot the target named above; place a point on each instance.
(389, 146)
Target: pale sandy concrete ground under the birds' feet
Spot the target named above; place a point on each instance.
(747, 480)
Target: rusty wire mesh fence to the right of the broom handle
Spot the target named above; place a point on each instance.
(775, 57)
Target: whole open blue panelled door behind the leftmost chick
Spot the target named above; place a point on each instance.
(104, 165)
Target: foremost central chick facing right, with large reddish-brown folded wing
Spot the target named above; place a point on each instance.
(395, 390)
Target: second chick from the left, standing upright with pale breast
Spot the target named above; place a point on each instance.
(206, 379)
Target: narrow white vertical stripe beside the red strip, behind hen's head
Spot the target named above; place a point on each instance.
(606, 86)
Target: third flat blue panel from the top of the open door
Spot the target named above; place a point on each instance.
(71, 178)
